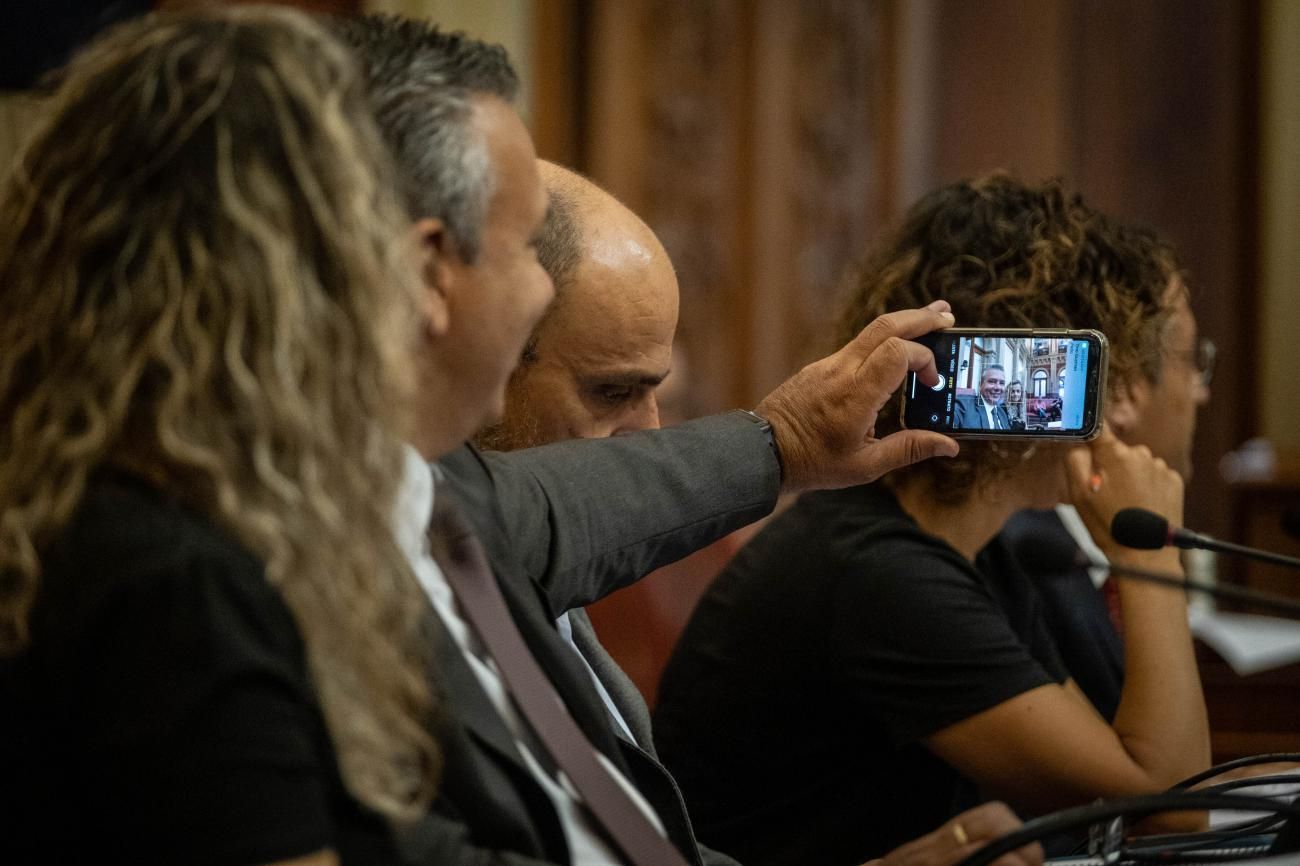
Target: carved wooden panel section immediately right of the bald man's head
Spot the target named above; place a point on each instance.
(669, 137)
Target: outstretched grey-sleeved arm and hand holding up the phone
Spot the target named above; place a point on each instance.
(590, 517)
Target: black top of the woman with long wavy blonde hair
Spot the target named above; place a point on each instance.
(163, 712)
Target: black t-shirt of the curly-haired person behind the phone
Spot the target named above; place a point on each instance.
(792, 711)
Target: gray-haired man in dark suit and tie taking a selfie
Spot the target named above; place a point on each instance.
(532, 769)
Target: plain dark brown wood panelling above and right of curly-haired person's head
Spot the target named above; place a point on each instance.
(1149, 111)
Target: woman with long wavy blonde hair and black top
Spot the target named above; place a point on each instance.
(210, 643)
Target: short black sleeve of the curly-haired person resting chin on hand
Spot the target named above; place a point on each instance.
(922, 644)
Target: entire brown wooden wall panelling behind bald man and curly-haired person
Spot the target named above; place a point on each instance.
(769, 141)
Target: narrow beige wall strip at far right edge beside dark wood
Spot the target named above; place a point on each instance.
(1280, 224)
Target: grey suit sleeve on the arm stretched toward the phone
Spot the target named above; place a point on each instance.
(592, 517)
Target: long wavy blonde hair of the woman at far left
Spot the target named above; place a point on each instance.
(203, 282)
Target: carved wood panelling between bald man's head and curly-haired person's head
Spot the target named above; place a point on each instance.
(748, 135)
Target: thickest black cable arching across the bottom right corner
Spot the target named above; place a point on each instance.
(1129, 808)
